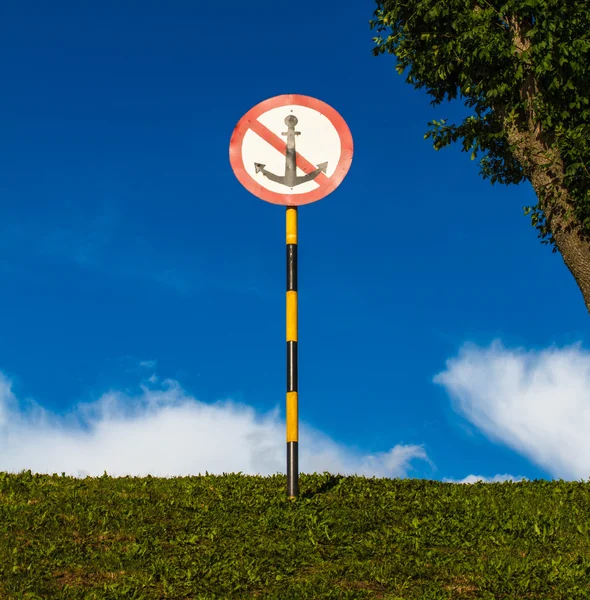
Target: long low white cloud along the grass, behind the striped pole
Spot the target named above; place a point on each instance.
(165, 432)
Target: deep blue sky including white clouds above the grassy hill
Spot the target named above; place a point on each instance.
(143, 287)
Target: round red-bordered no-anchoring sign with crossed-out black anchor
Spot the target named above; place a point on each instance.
(291, 150)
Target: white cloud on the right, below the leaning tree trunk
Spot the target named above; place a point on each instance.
(536, 402)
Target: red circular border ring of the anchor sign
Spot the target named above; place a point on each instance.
(237, 163)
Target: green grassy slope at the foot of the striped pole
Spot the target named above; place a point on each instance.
(236, 536)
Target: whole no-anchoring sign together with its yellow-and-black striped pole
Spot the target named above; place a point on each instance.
(298, 166)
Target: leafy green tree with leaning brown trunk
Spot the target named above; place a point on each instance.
(523, 66)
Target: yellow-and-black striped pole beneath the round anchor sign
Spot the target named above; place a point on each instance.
(292, 400)
